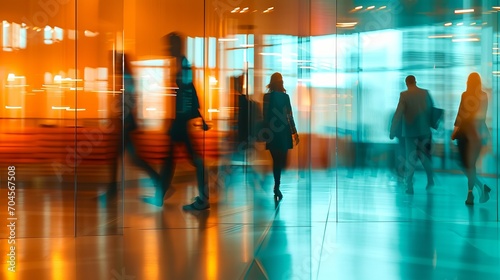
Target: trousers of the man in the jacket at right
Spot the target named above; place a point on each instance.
(418, 148)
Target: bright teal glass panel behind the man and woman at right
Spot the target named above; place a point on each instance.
(377, 47)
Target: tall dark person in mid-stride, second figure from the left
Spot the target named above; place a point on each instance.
(187, 109)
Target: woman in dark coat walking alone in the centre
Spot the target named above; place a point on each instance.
(280, 125)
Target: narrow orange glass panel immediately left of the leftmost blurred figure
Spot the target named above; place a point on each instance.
(101, 116)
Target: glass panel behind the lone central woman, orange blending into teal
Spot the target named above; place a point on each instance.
(255, 40)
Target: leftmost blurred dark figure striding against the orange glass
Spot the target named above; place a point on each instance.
(127, 110)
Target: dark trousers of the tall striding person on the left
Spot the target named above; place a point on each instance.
(168, 168)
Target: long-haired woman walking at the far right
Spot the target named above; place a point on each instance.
(471, 134)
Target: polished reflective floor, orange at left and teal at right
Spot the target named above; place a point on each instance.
(328, 226)
